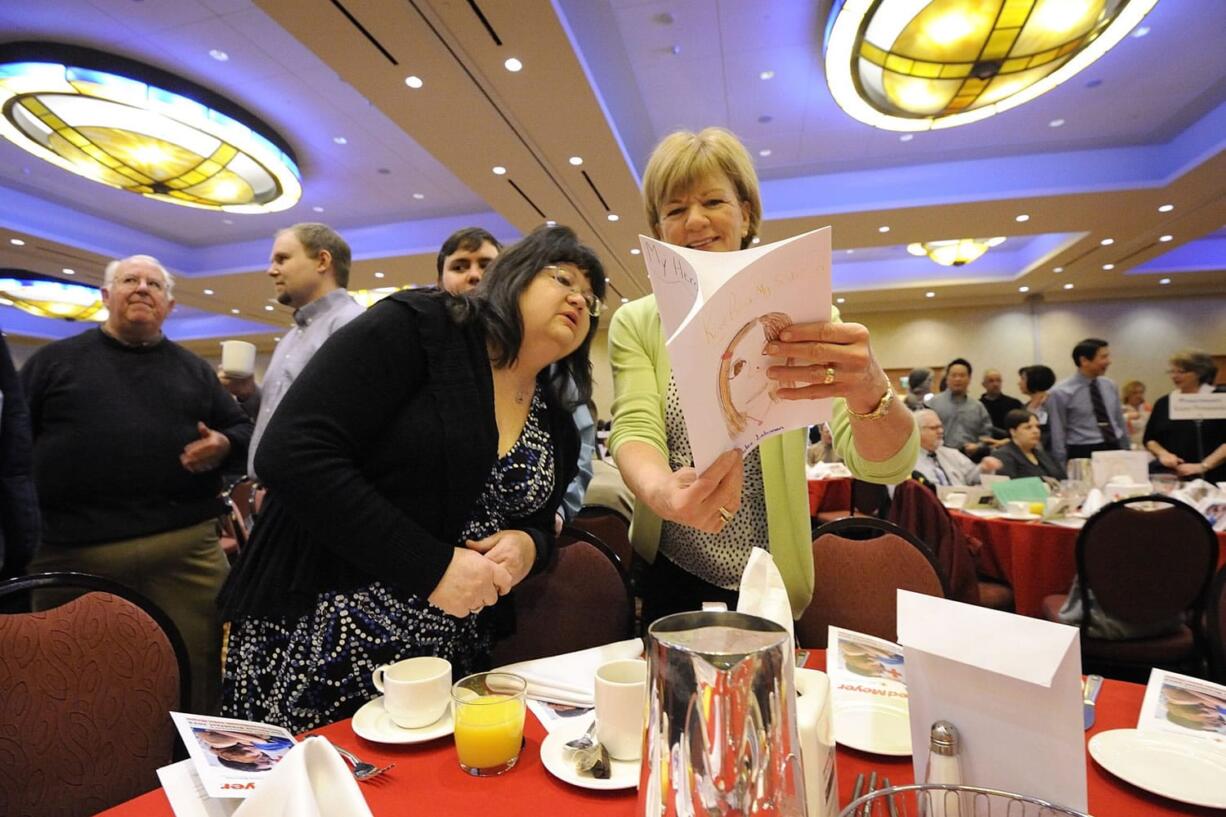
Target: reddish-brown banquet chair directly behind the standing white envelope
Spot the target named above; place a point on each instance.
(860, 564)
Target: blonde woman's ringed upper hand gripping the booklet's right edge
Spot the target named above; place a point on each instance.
(829, 361)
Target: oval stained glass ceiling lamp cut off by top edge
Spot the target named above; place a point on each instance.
(927, 64)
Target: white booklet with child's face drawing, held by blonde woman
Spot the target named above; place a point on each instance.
(719, 311)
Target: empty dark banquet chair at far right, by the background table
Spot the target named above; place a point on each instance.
(1142, 567)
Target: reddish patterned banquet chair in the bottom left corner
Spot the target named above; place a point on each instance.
(86, 690)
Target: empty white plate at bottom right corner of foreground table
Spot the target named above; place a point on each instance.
(1190, 770)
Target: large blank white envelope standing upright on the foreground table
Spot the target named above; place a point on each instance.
(1011, 685)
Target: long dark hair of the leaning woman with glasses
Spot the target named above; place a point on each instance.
(496, 304)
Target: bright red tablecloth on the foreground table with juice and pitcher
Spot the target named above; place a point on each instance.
(428, 781)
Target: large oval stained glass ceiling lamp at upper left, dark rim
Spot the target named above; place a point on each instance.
(140, 129)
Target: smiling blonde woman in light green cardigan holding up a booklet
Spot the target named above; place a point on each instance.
(698, 531)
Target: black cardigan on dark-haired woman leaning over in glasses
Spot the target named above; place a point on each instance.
(376, 458)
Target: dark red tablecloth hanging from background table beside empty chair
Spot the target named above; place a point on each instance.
(1037, 560)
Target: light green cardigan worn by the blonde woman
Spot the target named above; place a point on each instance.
(641, 383)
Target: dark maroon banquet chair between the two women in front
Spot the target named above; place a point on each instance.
(582, 599)
